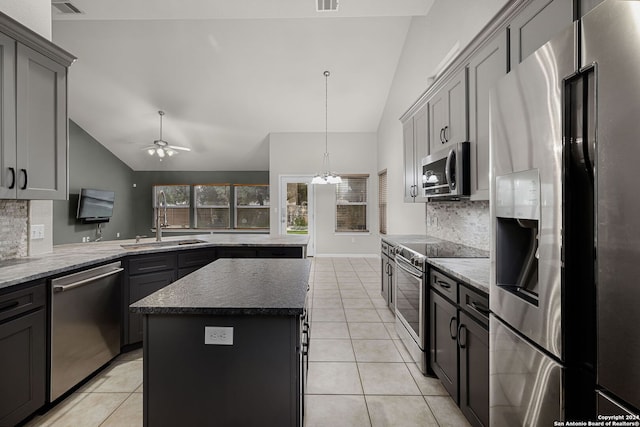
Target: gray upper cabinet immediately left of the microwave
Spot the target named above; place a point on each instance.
(415, 137)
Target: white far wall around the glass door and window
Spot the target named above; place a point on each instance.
(350, 153)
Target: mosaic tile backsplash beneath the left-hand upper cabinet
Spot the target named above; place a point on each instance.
(14, 217)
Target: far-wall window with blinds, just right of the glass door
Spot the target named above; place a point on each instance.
(351, 204)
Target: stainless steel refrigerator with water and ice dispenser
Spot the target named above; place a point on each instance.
(565, 264)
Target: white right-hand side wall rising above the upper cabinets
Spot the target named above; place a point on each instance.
(429, 39)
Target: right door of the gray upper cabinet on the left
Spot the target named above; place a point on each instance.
(41, 126)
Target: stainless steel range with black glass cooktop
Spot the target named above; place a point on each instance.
(411, 293)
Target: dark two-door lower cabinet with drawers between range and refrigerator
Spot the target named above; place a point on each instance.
(459, 344)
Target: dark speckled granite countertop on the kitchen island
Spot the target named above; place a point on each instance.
(235, 287)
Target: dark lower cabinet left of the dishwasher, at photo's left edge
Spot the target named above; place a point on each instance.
(22, 353)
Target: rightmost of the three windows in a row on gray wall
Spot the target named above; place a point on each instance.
(252, 206)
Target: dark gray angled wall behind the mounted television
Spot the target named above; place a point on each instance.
(91, 165)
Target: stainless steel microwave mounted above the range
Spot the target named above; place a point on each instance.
(446, 173)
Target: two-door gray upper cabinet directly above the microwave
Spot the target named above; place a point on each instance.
(448, 113)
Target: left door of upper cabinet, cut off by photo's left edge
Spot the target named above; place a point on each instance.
(7, 118)
